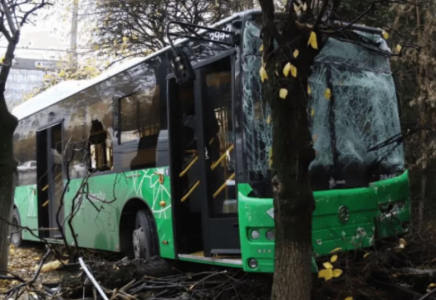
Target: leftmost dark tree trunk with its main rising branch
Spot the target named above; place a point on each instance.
(8, 123)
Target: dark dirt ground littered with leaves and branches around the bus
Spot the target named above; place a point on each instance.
(382, 273)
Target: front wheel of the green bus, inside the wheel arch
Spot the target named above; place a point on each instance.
(142, 236)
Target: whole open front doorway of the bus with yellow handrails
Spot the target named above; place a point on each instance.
(202, 161)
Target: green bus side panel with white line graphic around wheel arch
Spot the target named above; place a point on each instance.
(97, 224)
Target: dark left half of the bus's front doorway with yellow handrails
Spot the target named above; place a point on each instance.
(185, 169)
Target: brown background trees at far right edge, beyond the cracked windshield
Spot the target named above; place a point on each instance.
(415, 74)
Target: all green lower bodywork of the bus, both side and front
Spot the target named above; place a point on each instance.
(99, 229)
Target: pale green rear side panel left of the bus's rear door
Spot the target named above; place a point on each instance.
(26, 202)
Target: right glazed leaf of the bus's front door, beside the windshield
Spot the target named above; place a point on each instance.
(215, 145)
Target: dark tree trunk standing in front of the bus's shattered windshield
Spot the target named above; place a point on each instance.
(292, 151)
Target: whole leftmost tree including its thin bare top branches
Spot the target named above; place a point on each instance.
(13, 15)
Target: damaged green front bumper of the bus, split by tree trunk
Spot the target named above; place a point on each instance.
(377, 211)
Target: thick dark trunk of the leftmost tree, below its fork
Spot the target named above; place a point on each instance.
(7, 167)
